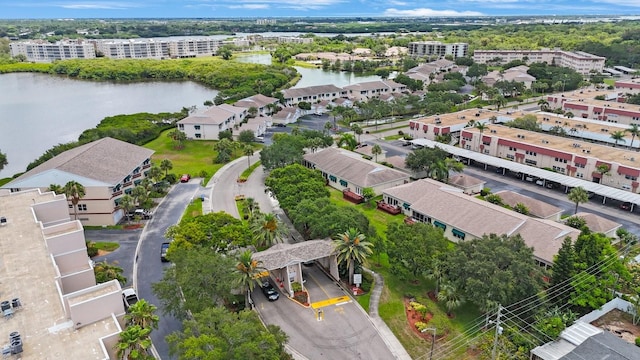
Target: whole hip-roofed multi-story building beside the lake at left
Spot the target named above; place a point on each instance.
(106, 168)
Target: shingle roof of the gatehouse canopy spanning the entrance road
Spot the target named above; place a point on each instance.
(282, 255)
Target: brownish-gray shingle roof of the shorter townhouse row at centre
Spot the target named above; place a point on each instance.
(353, 168)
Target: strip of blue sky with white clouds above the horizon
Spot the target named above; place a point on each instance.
(21, 9)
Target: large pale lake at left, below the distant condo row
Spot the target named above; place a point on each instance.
(38, 111)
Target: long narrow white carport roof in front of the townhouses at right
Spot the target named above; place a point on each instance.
(606, 192)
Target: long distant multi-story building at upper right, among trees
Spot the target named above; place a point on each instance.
(582, 62)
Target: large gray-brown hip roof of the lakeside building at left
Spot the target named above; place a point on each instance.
(106, 161)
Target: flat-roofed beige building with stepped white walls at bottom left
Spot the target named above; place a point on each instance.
(51, 304)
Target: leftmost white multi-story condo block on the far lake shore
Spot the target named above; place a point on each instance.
(44, 51)
